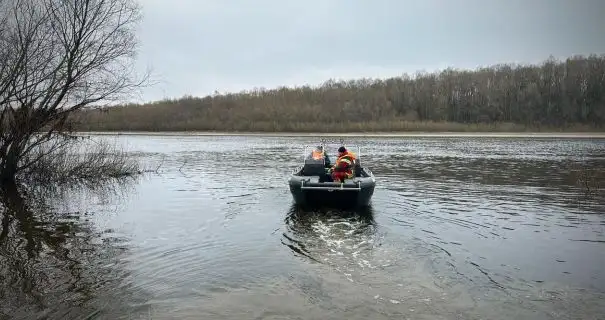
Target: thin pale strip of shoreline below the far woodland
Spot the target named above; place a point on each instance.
(361, 134)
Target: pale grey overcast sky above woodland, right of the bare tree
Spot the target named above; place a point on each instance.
(195, 47)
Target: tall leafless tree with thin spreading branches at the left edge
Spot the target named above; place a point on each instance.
(56, 57)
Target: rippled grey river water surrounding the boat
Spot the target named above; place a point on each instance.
(459, 228)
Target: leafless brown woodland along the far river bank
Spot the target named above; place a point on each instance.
(556, 95)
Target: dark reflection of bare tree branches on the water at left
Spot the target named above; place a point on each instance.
(56, 264)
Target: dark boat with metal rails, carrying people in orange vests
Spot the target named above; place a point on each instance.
(310, 183)
